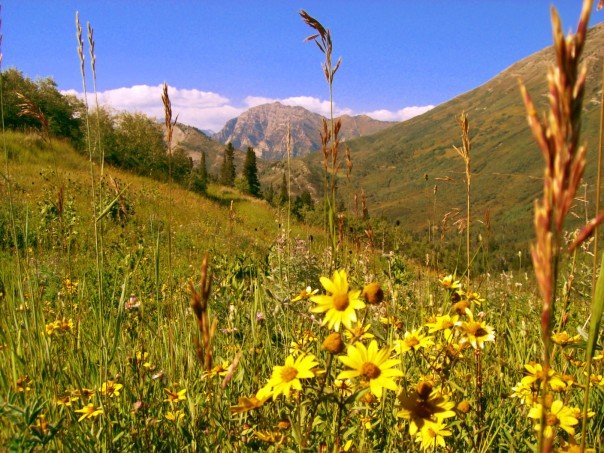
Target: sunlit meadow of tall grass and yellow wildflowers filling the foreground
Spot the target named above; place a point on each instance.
(136, 315)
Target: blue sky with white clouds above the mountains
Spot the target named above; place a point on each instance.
(221, 57)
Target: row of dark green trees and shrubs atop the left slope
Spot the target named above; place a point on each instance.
(132, 141)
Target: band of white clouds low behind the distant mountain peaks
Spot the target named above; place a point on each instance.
(208, 110)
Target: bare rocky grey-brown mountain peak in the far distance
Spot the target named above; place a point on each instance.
(264, 128)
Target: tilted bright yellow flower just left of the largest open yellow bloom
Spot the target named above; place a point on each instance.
(286, 377)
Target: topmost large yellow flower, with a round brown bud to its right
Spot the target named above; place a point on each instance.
(340, 305)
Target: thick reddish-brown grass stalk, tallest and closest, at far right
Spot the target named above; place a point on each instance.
(557, 134)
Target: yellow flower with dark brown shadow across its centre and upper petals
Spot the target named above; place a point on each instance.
(424, 404)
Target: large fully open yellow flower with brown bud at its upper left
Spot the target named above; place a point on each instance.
(371, 365)
